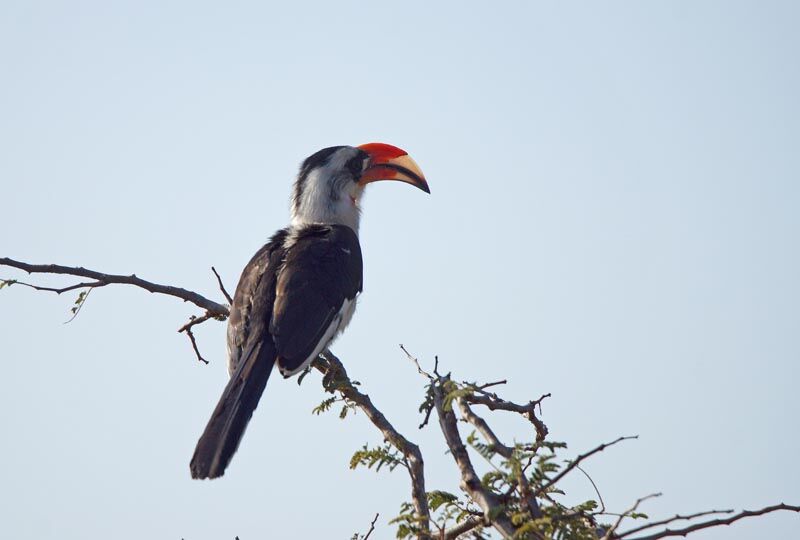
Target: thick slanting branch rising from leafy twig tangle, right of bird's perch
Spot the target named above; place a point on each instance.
(470, 482)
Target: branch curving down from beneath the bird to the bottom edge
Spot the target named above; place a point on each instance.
(336, 380)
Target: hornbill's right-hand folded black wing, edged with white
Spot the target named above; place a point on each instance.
(322, 270)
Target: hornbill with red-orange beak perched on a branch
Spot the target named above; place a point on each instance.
(299, 291)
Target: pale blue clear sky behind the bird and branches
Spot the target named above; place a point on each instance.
(613, 219)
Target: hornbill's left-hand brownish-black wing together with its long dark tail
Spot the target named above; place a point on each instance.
(252, 354)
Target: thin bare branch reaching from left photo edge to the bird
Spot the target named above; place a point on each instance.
(107, 279)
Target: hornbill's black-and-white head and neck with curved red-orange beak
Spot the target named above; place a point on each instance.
(330, 183)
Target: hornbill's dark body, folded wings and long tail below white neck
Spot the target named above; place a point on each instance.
(288, 296)
